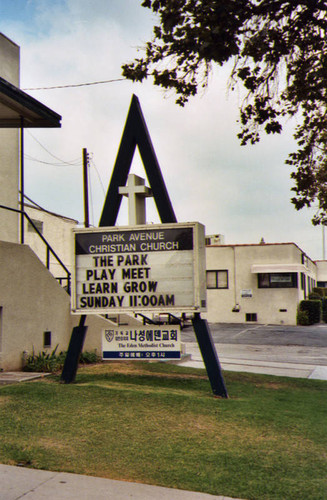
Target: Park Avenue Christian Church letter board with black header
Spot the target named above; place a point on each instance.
(143, 268)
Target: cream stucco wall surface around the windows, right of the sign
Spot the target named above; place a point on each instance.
(272, 305)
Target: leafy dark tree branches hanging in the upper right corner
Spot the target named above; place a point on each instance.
(279, 54)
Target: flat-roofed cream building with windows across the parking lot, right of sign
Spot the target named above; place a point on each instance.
(261, 283)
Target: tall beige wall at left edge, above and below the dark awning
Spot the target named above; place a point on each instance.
(9, 147)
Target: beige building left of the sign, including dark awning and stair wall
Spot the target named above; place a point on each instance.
(34, 305)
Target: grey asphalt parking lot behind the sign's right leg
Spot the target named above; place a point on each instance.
(293, 351)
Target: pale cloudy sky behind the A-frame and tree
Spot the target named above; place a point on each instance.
(240, 192)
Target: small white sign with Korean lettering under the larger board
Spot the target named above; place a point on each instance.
(150, 342)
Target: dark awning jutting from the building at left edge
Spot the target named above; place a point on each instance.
(18, 109)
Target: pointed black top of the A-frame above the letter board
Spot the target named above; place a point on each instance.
(136, 134)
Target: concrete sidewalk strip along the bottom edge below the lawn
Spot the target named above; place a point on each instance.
(31, 484)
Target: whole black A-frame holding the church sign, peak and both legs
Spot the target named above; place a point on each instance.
(136, 134)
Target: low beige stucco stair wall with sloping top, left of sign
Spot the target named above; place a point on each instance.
(32, 302)
